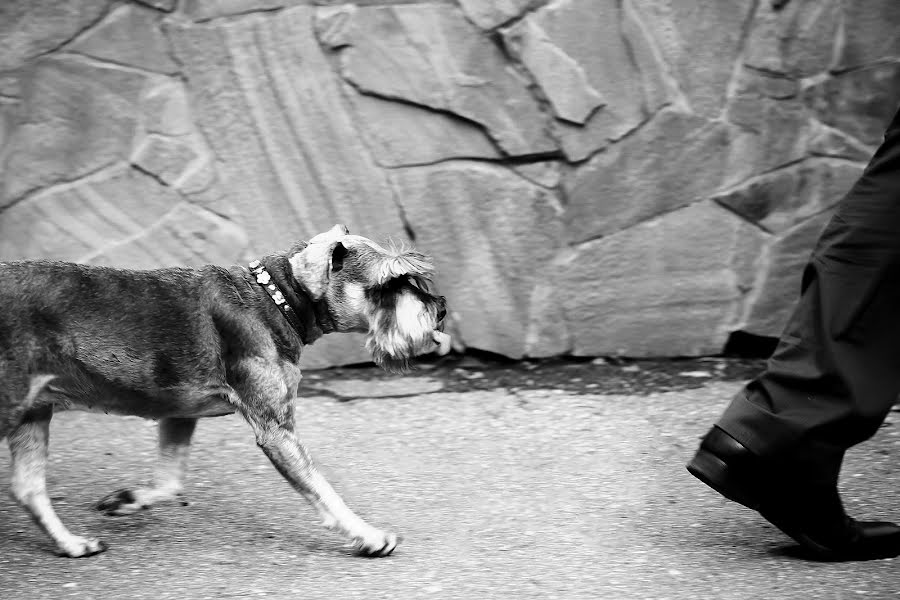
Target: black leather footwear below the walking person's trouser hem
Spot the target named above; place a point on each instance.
(812, 514)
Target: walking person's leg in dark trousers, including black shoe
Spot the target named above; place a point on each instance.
(830, 383)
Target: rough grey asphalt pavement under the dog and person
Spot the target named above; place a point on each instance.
(550, 480)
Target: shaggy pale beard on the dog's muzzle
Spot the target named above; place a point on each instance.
(400, 333)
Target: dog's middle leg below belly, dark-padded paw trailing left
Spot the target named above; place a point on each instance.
(174, 447)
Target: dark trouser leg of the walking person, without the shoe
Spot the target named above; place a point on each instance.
(836, 370)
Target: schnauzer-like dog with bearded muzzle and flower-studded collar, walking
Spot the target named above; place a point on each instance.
(177, 344)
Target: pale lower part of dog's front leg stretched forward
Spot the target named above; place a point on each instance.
(293, 461)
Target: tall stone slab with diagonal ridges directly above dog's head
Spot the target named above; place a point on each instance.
(287, 148)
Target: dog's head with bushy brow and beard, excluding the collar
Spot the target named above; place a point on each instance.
(385, 292)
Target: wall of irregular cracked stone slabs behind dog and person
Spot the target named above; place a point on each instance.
(594, 177)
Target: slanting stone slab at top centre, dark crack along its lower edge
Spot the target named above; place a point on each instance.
(432, 56)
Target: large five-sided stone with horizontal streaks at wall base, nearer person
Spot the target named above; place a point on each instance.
(673, 286)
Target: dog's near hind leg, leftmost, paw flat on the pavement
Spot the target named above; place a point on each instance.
(28, 444)
